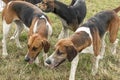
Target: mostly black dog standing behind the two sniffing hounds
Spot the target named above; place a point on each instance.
(71, 15)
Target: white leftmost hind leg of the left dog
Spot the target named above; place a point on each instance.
(6, 28)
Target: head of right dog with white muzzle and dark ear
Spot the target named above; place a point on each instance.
(64, 49)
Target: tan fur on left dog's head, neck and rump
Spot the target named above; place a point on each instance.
(37, 40)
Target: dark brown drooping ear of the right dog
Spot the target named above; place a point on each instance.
(71, 52)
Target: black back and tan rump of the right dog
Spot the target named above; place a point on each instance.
(102, 21)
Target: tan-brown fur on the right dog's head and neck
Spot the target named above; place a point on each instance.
(69, 47)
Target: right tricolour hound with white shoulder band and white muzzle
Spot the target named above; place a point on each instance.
(88, 38)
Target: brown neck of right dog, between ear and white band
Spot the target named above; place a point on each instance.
(81, 40)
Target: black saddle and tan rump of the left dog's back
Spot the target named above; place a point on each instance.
(23, 10)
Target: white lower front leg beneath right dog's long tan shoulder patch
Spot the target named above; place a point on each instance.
(95, 64)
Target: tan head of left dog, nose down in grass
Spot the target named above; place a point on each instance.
(35, 45)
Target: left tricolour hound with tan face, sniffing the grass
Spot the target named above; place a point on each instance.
(31, 16)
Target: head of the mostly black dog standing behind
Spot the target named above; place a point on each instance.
(47, 5)
